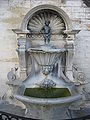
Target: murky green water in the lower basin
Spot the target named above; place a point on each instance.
(47, 93)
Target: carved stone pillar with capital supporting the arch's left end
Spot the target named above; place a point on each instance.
(22, 52)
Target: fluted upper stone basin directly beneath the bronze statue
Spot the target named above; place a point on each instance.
(46, 55)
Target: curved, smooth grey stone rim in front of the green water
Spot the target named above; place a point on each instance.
(48, 101)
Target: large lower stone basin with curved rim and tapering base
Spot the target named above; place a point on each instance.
(47, 109)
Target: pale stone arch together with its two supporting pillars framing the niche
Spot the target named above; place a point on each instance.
(24, 42)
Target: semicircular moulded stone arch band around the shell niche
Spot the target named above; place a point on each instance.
(29, 15)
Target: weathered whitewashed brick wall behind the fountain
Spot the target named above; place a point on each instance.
(12, 13)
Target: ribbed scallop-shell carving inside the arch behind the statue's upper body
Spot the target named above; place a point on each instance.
(37, 22)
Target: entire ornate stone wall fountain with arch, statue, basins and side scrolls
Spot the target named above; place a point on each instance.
(47, 86)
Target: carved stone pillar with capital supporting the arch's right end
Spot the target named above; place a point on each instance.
(70, 52)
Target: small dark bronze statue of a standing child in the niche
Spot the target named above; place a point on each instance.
(46, 31)
